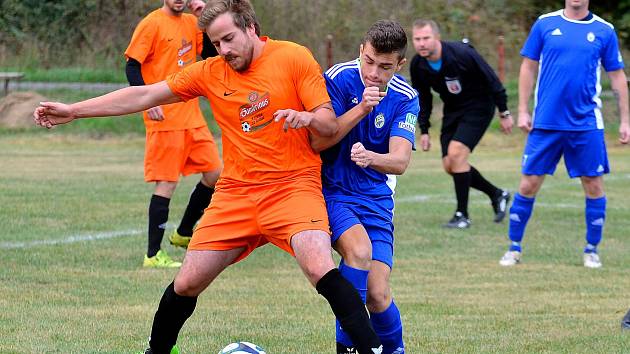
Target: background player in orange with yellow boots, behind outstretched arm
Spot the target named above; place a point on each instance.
(178, 140)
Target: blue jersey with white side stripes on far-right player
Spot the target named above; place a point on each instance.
(570, 55)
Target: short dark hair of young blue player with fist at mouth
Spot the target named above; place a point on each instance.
(387, 36)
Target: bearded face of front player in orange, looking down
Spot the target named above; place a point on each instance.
(233, 44)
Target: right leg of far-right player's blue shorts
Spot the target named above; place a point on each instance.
(585, 154)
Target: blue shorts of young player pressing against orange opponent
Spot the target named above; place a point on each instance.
(375, 217)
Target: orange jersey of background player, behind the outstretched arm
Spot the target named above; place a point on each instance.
(164, 45)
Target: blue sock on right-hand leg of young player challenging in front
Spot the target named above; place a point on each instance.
(388, 326)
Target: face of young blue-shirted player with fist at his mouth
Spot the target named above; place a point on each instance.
(378, 68)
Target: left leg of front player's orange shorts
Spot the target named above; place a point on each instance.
(230, 222)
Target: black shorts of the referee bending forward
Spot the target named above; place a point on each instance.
(467, 127)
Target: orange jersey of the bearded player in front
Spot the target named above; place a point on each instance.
(256, 149)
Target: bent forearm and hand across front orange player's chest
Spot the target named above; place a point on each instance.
(321, 121)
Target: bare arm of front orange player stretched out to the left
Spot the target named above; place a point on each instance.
(124, 101)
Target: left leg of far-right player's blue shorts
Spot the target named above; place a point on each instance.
(543, 151)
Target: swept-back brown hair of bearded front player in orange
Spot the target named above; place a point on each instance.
(241, 10)
